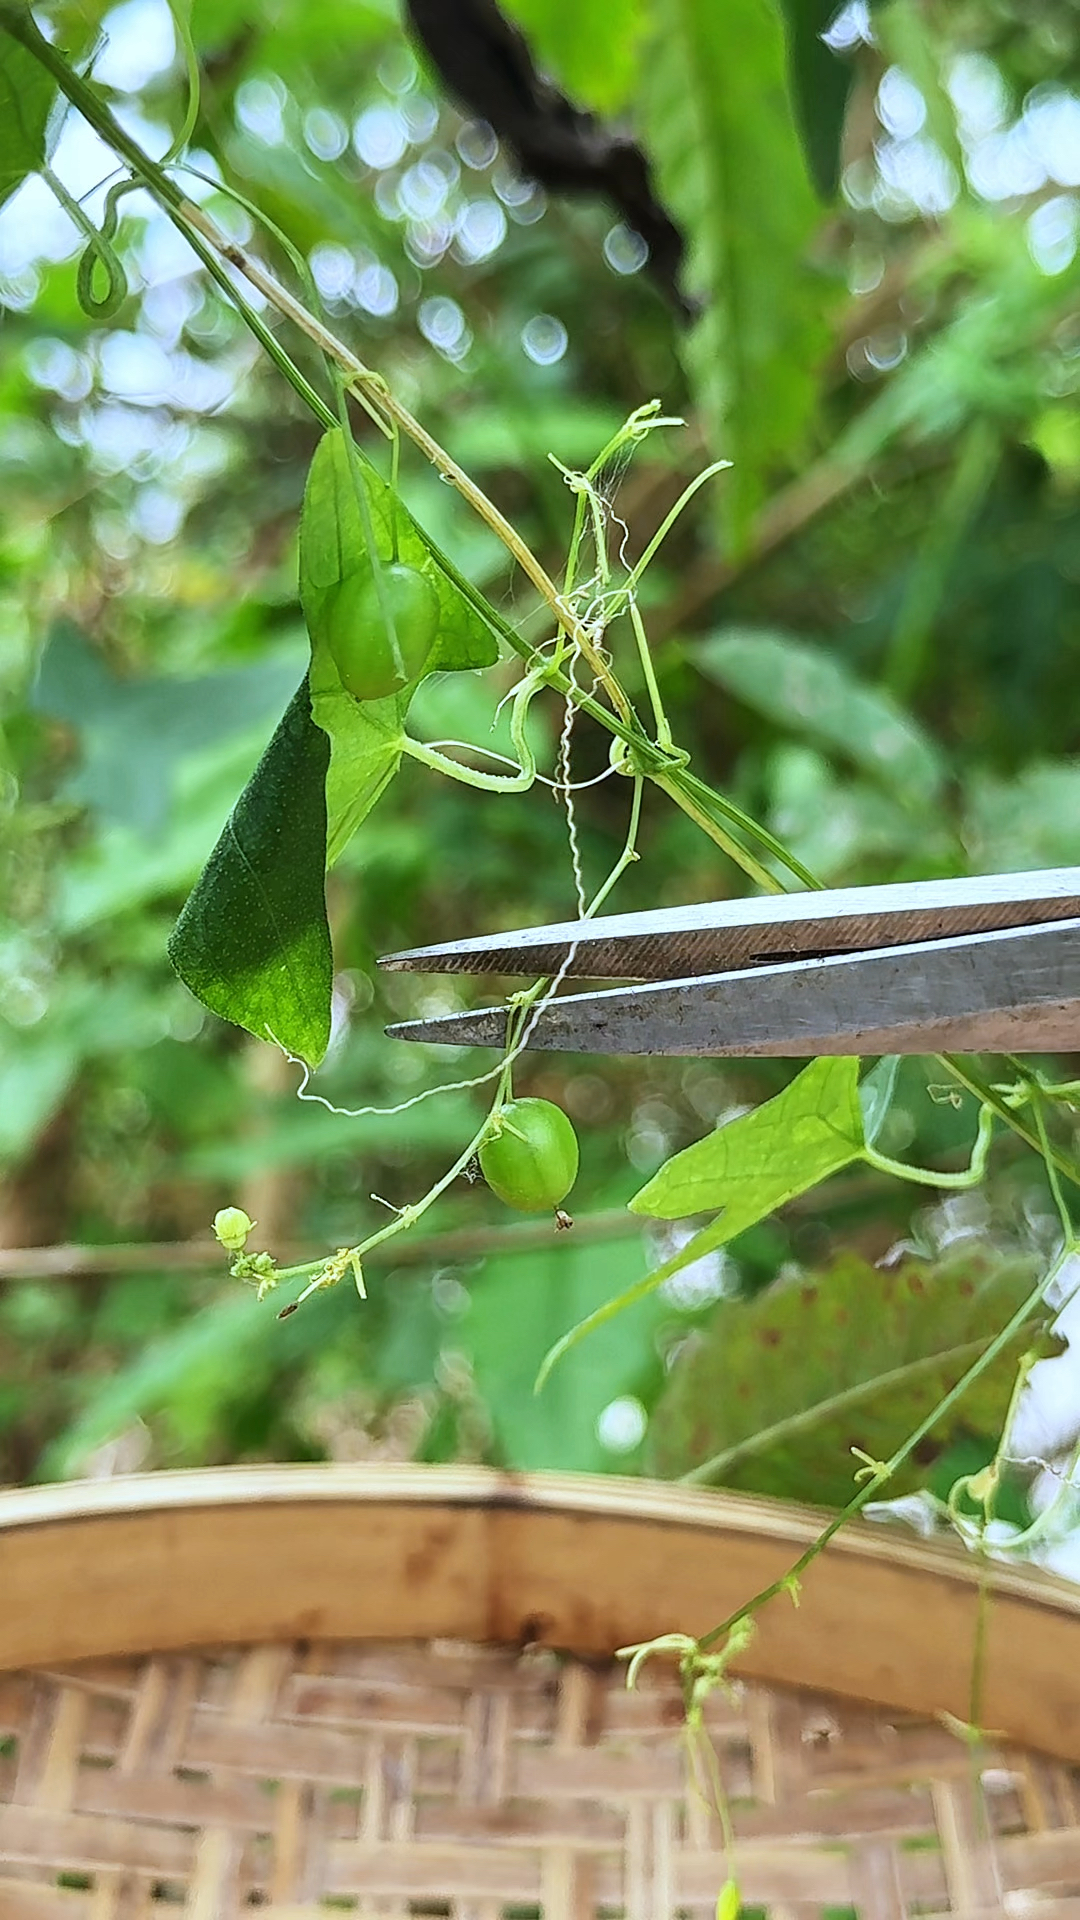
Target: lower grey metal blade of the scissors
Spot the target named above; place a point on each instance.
(1006, 992)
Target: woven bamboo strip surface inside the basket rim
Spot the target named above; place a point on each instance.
(479, 1785)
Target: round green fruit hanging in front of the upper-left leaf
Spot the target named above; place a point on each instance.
(360, 642)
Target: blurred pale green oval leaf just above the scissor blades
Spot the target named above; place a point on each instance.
(810, 692)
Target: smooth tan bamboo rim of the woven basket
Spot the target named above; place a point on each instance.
(576, 1562)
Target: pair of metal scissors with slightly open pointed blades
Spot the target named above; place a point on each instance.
(987, 965)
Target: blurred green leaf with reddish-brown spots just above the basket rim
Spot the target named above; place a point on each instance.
(777, 1393)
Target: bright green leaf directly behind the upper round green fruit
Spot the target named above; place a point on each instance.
(366, 738)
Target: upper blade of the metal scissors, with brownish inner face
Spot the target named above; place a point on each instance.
(720, 936)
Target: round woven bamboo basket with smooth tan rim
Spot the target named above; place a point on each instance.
(391, 1692)
